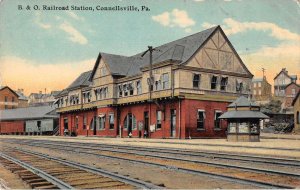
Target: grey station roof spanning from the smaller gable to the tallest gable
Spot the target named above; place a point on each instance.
(181, 50)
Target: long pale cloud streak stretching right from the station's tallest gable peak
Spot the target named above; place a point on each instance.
(232, 26)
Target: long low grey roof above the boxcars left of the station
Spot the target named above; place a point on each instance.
(28, 113)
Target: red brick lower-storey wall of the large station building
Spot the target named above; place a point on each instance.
(187, 126)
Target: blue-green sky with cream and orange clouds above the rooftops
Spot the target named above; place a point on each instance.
(47, 49)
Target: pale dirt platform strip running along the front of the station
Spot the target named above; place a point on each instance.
(197, 144)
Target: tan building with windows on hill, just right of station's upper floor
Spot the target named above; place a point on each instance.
(261, 89)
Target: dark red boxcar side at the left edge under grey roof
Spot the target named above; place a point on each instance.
(9, 127)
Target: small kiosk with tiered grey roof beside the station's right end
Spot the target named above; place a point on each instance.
(243, 117)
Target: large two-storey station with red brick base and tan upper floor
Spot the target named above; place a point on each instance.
(181, 94)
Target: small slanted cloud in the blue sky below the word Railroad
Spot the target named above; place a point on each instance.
(74, 35)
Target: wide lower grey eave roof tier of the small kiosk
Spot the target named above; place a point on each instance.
(243, 114)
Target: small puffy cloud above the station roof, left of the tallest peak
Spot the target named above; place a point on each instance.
(175, 18)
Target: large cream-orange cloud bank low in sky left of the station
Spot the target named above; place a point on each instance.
(33, 76)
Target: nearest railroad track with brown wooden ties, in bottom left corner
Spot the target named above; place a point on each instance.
(63, 174)
